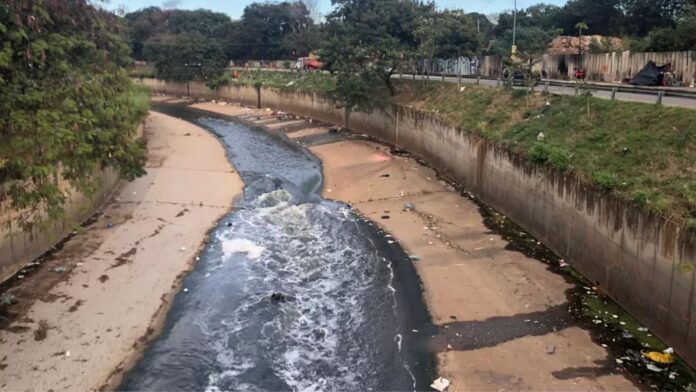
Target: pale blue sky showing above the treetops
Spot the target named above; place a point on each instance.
(234, 8)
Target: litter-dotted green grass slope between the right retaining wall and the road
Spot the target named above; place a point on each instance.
(644, 153)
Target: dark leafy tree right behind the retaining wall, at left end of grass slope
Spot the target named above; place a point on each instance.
(368, 40)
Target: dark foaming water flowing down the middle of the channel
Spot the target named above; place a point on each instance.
(292, 292)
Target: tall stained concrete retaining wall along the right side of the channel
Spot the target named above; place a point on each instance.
(644, 262)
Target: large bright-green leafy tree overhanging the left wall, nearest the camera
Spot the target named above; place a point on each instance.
(67, 107)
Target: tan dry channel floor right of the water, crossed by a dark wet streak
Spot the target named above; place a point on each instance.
(505, 303)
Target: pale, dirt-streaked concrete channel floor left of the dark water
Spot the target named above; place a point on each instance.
(80, 331)
